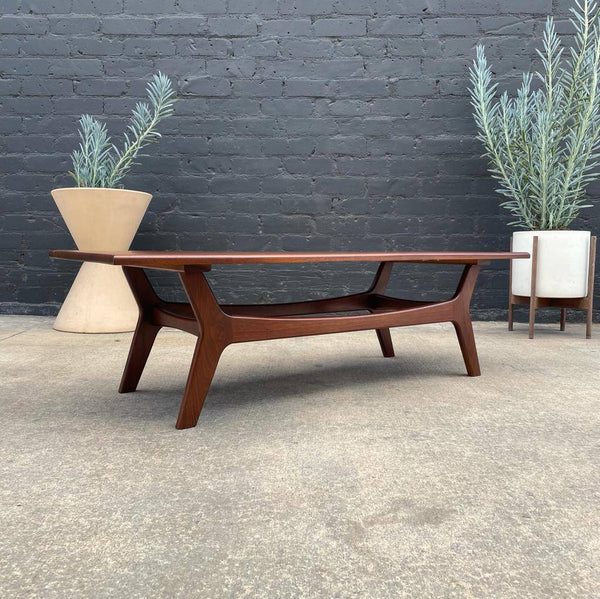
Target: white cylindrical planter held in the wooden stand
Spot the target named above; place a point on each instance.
(562, 263)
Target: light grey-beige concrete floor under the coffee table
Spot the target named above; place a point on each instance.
(318, 468)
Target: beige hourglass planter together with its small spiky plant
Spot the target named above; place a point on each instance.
(102, 216)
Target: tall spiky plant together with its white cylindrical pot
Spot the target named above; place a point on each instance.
(542, 146)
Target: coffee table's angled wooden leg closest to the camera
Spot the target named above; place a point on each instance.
(214, 337)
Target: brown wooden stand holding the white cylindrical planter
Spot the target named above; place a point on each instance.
(534, 302)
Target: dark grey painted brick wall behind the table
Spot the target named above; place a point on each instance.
(302, 125)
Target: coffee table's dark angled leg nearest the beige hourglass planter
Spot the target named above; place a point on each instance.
(145, 332)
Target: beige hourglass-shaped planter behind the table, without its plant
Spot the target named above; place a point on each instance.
(100, 300)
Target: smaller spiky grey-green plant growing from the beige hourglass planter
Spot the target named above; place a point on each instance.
(100, 163)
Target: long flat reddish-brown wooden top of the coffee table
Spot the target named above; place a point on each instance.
(179, 260)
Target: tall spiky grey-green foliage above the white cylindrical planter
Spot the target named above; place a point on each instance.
(543, 145)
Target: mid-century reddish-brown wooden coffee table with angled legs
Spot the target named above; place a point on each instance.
(217, 325)
